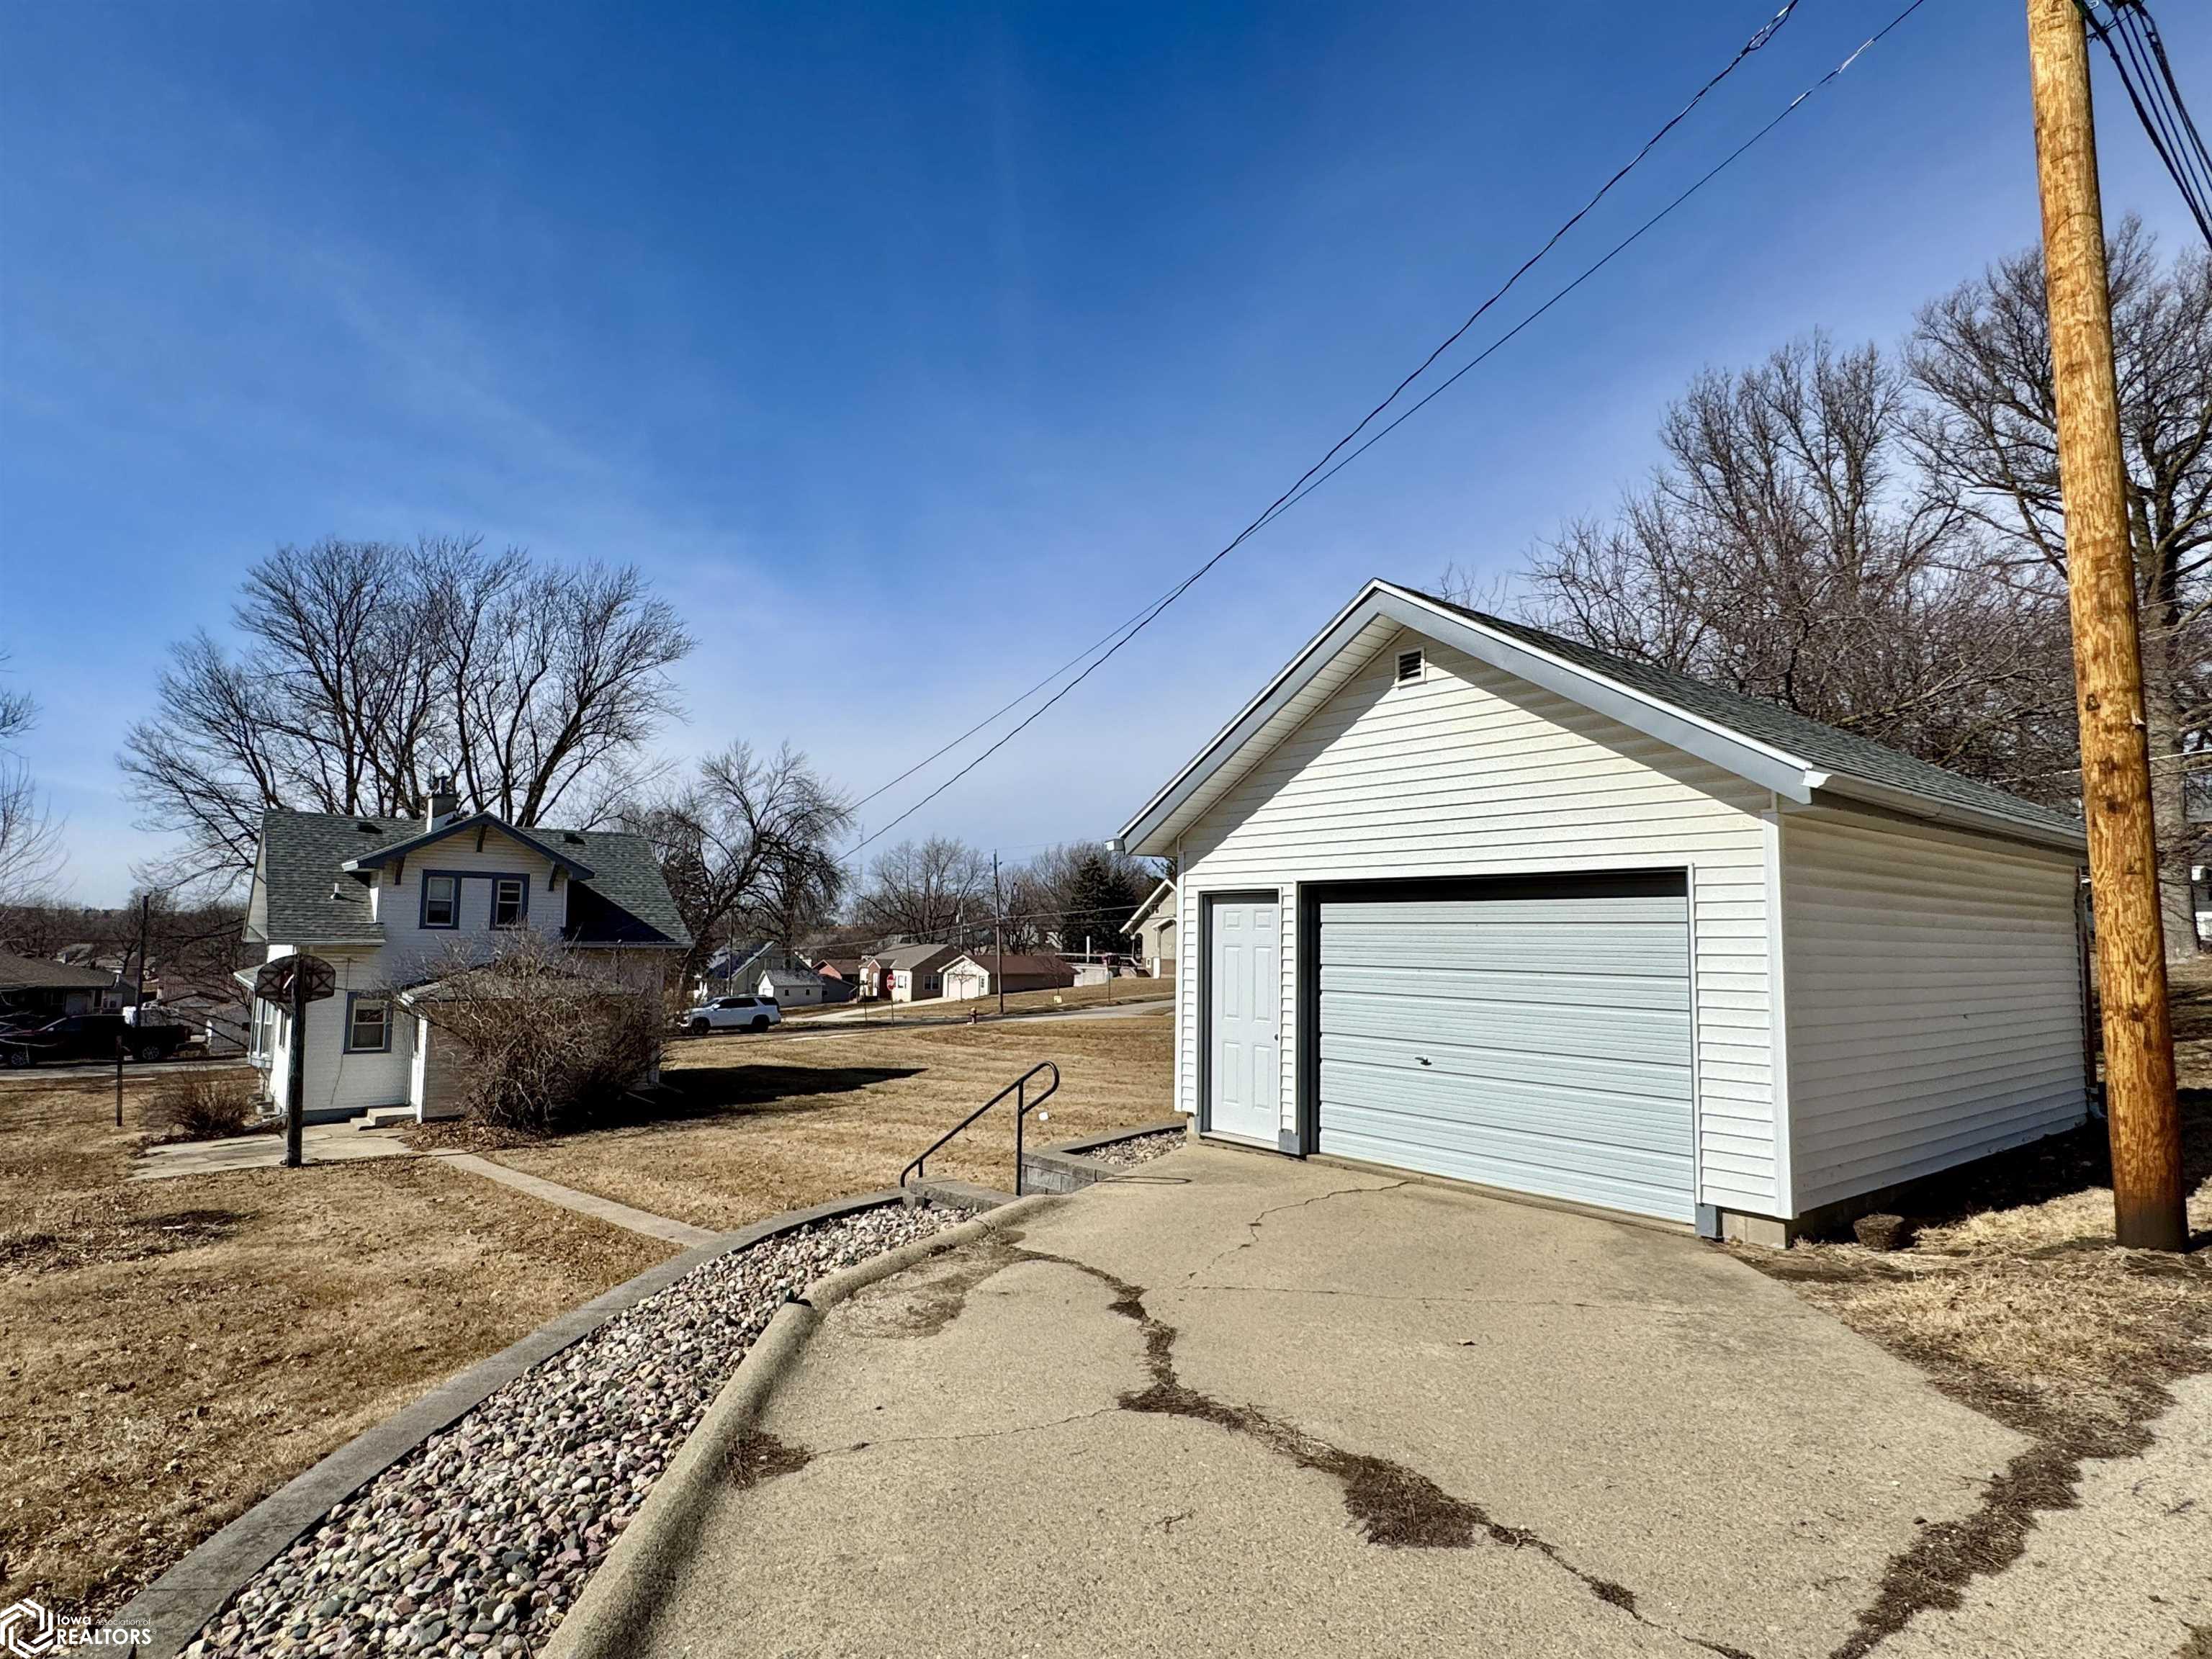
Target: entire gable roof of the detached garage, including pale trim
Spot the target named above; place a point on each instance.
(1751, 738)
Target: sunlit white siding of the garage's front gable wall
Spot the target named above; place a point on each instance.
(1477, 773)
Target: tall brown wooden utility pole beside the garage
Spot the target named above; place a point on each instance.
(2109, 660)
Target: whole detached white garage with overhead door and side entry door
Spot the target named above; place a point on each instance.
(1477, 901)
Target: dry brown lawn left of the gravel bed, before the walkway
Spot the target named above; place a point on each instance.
(176, 1350)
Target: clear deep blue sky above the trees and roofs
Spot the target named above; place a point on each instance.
(910, 348)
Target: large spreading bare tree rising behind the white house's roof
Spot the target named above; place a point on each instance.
(368, 667)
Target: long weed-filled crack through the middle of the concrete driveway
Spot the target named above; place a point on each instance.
(1395, 1507)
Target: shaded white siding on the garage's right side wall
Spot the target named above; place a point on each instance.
(1934, 1001)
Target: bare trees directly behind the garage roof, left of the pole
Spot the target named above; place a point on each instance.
(1788, 547)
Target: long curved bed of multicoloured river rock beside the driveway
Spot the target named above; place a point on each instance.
(483, 1538)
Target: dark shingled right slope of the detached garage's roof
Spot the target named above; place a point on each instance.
(1808, 740)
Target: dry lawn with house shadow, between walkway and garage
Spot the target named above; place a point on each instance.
(784, 1123)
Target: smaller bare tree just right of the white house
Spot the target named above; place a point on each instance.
(749, 844)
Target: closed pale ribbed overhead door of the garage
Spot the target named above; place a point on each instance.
(1532, 1043)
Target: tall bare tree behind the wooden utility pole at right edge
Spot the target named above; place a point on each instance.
(1987, 441)
